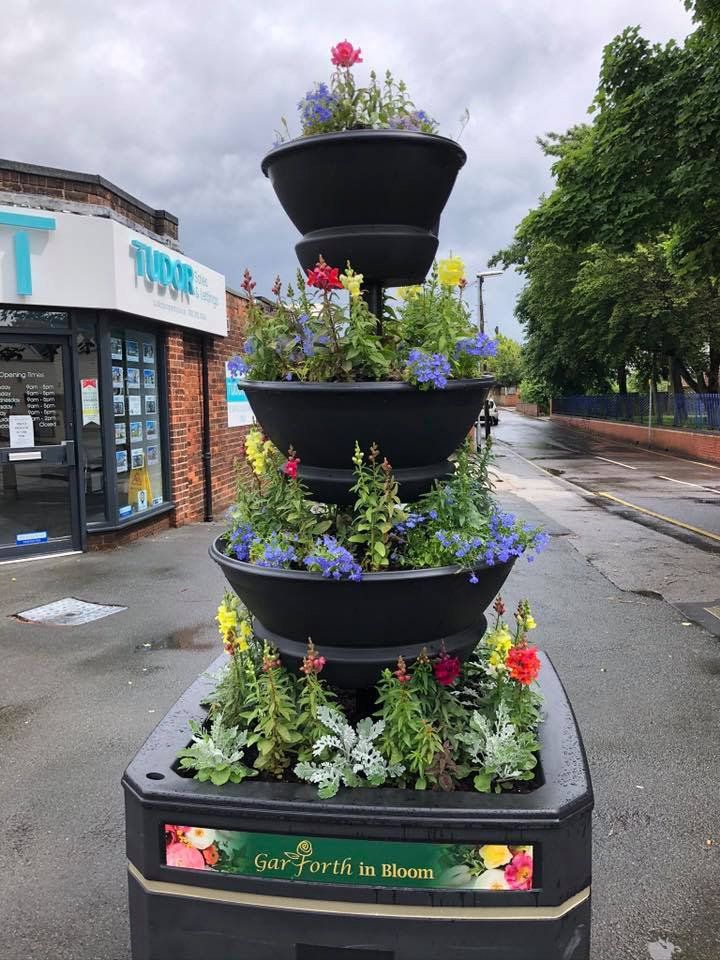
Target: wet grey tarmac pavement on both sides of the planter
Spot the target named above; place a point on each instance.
(76, 703)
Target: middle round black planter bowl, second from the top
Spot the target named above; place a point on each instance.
(416, 430)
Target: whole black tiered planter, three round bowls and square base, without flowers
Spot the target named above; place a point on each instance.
(372, 889)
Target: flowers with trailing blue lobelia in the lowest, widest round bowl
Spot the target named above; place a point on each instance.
(274, 524)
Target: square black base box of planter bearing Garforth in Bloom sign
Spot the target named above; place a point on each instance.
(273, 873)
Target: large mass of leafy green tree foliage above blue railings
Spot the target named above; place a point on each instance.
(636, 212)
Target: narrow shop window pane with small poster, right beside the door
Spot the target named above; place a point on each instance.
(92, 462)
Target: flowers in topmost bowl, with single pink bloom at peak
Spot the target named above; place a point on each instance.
(343, 105)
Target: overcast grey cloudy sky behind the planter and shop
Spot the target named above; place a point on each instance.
(177, 103)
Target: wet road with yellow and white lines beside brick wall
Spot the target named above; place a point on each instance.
(648, 521)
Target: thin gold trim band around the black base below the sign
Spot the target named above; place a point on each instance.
(347, 908)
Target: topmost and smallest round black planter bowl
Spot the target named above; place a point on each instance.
(373, 197)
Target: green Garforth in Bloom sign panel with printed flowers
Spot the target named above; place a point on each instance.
(372, 863)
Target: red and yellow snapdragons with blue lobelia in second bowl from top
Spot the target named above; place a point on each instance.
(314, 334)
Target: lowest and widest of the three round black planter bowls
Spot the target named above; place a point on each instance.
(362, 627)
